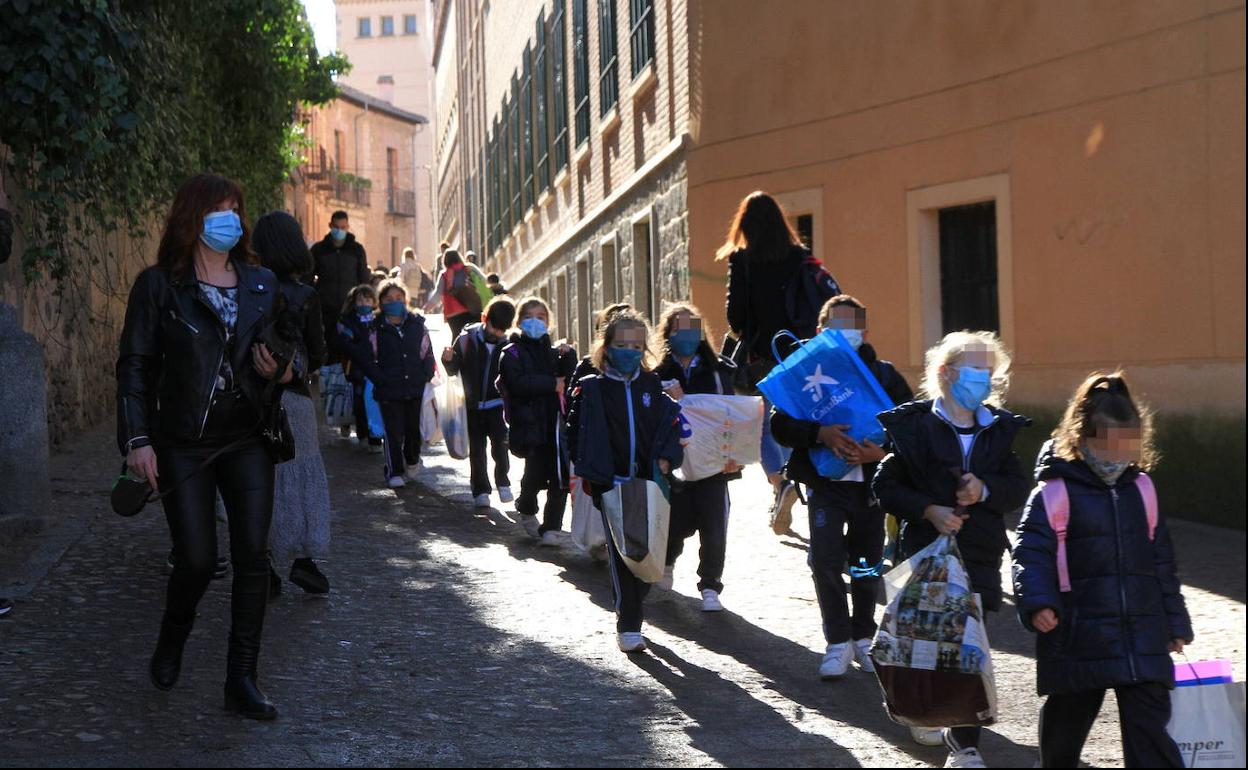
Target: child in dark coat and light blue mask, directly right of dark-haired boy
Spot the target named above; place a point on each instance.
(534, 379)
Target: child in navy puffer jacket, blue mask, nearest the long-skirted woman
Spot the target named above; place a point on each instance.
(397, 356)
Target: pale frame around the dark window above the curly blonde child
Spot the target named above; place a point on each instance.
(923, 251)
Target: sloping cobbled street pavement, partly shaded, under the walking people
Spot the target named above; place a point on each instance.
(451, 640)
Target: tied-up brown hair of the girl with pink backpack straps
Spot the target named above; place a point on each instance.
(1101, 401)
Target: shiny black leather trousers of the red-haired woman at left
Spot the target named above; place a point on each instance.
(245, 480)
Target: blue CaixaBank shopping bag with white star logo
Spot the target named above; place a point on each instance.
(826, 383)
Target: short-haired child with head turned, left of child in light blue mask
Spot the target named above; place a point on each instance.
(475, 358)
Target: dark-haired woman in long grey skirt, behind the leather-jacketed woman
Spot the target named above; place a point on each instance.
(300, 534)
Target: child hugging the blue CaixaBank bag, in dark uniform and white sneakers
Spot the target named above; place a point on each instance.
(847, 522)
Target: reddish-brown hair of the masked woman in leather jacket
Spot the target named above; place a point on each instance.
(198, 198)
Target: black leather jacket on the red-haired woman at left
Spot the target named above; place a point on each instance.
(172, 350)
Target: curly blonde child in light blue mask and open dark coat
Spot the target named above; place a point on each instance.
(954, 471)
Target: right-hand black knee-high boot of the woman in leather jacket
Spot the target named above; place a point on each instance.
(243, 694)
